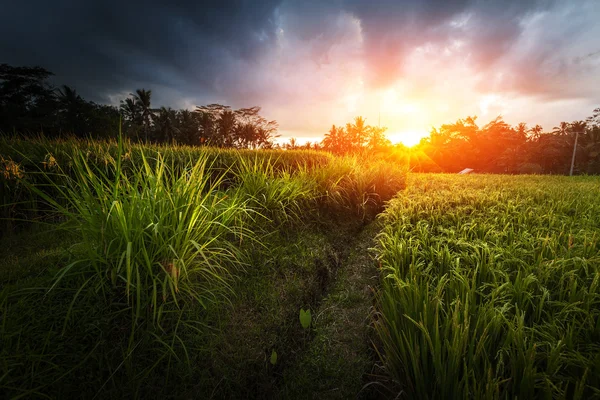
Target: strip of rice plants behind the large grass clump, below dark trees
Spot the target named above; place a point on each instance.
(43, 154)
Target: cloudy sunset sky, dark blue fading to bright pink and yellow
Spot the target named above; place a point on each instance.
(405, 64)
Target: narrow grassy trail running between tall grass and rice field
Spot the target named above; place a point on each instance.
(340, 356)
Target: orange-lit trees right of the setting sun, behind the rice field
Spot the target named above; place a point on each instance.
(498, 147)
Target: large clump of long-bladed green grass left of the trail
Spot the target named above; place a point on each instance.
(157, 236)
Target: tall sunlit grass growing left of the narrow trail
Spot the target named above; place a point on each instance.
(158, 238)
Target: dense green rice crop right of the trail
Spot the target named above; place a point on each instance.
(491, 288)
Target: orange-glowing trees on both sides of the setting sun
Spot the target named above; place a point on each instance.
(496, 147)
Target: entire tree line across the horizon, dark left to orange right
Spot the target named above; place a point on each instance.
(30, 104)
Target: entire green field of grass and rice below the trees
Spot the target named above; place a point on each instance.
(170, 272)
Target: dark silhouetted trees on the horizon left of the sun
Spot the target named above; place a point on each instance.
(29, 104)
